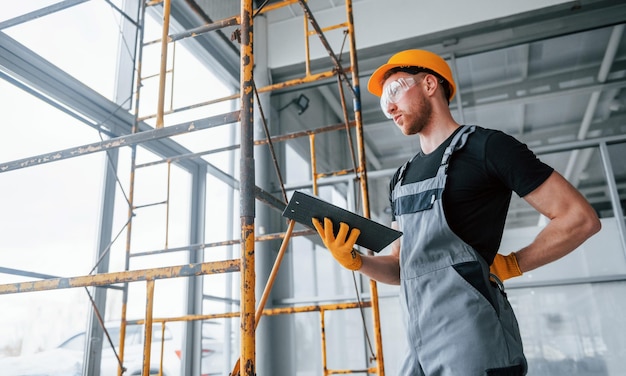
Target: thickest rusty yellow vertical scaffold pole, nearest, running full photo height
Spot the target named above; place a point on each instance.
(247, 195)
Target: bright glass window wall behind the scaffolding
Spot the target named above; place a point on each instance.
(56, 208)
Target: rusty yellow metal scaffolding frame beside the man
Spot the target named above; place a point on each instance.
(250, 313)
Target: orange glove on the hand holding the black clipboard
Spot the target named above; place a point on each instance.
(340, 247)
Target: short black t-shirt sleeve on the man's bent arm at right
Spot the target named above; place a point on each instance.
(516, 165)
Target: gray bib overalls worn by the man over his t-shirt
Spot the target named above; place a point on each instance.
(457, 322)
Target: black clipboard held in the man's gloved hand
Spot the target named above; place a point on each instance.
(374, 236)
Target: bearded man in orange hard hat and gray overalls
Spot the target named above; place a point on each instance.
(450, 201)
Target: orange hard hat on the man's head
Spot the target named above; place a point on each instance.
(412, 58)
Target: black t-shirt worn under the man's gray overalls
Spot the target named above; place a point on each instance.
(481, 177)
